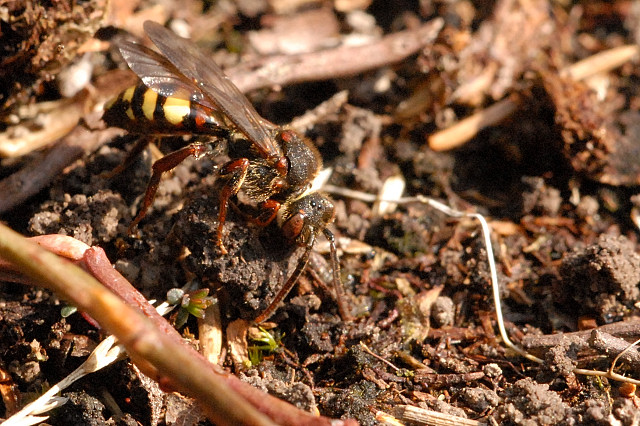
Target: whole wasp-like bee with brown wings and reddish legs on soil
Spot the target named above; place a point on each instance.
(182, 91)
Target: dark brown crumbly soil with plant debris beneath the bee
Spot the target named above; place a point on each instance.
(557, 179)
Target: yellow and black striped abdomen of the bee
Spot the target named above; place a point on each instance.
(139, 109)
